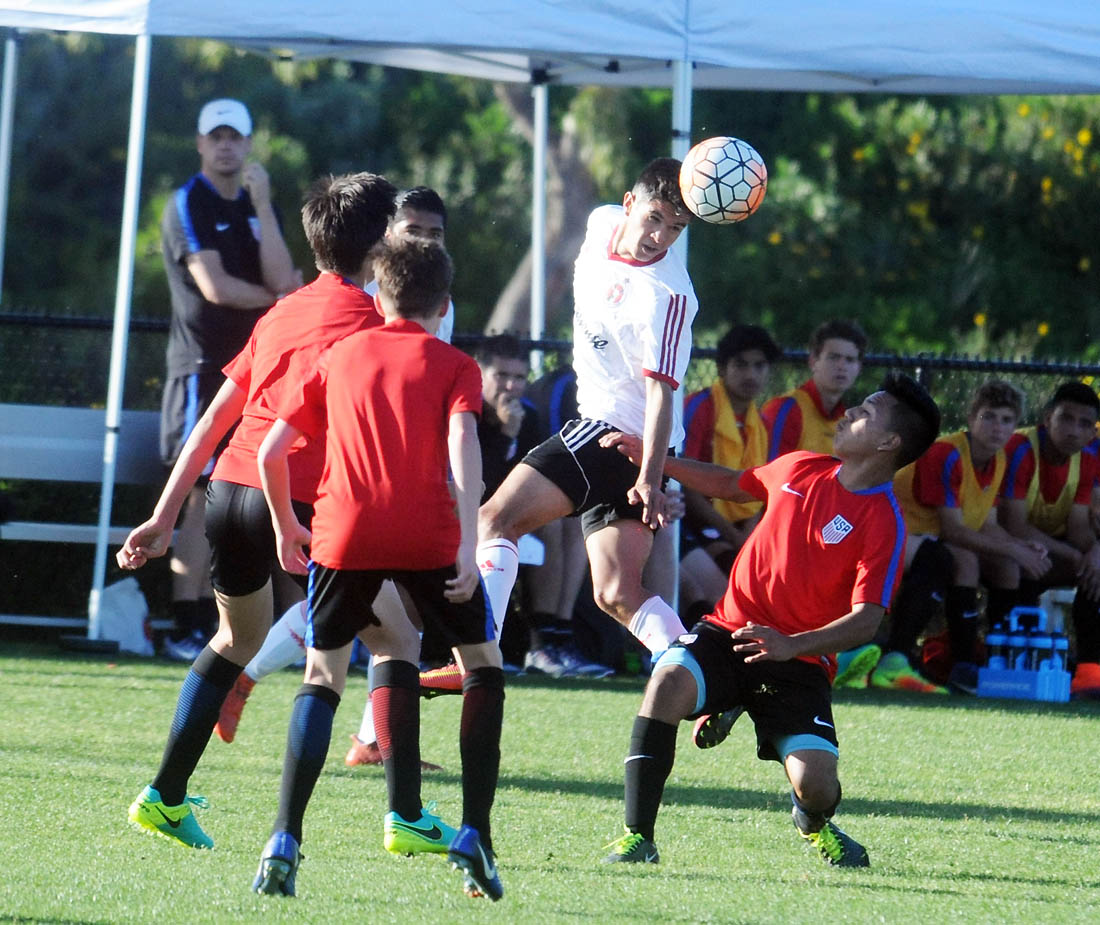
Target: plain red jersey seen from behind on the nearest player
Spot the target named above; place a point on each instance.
(383, 401)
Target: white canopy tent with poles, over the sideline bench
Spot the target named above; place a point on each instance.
(897, 47)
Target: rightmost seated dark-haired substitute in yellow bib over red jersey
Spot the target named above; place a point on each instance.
(1048, 490)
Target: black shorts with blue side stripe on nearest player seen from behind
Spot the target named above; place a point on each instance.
(340, 605)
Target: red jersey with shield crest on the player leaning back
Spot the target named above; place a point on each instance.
(818, 553)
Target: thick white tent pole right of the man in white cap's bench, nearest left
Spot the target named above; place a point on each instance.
(122, 331)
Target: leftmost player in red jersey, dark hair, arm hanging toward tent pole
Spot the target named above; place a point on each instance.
(345, 218)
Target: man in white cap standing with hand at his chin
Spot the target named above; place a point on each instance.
(227, 263)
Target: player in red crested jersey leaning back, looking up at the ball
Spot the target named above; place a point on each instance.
(816, 577)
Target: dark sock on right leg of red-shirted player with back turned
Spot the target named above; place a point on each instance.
(480, 746)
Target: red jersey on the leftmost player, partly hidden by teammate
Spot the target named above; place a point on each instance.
(282, 351)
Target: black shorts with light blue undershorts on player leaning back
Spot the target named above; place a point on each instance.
(790, 699)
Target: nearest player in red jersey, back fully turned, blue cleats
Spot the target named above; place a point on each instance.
(397, 406)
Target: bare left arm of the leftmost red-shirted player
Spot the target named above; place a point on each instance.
(152, 539)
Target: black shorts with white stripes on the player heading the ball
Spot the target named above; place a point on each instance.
(595, 479)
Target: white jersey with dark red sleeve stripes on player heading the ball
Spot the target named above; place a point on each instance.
(632, 321)
